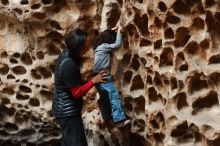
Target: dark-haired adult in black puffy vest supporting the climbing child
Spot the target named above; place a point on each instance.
(67, 102)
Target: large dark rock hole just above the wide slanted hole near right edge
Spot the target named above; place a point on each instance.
(197, 83)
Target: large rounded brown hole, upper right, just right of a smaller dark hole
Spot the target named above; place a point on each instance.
(182, 36)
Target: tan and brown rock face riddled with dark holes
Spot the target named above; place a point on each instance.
(167, 70)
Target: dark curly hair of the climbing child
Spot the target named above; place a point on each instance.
(108, 36)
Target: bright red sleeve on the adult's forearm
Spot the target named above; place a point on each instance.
(79, 91)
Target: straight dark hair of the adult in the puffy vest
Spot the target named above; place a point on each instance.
(75, 40)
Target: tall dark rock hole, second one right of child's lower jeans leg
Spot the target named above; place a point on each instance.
(139, 105)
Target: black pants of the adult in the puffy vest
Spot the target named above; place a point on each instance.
(72, 130)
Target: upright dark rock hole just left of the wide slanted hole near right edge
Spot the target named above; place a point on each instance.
(181, 101)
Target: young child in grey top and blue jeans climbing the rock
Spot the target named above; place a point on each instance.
(105, 44)
